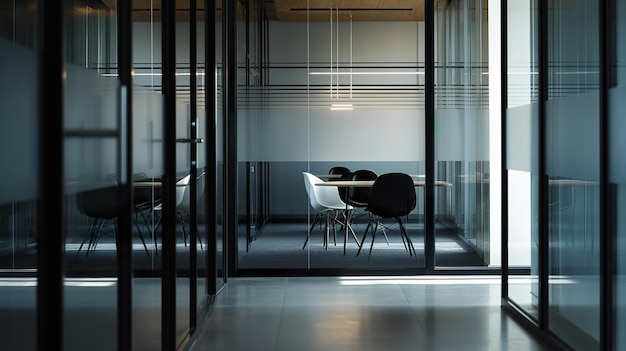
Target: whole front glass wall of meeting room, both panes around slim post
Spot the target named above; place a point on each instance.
(326, 85)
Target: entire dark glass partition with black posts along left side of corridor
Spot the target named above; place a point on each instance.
(102, 135)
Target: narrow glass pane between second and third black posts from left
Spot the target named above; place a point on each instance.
(147, 150)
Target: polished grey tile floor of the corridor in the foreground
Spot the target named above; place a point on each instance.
(362, 313)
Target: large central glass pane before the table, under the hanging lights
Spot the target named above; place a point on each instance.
(332, 90)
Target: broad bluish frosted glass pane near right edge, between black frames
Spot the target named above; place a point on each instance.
(573, 172)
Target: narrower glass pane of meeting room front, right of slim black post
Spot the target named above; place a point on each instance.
(463, 138)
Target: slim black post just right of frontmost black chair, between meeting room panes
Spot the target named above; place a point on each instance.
(429, 108)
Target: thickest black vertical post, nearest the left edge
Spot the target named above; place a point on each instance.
(50, 228)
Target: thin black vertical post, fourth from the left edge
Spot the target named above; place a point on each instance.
(193, 135)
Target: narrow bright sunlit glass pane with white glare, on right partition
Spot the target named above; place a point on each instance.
(522, 155)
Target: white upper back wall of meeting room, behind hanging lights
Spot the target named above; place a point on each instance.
(316, 134)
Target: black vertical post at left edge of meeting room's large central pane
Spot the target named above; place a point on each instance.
(230, 179)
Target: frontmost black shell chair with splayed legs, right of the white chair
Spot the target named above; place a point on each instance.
(391, 197)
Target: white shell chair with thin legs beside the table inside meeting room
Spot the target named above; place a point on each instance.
(326, 201)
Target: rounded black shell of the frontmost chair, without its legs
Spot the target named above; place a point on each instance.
(392, 195)
